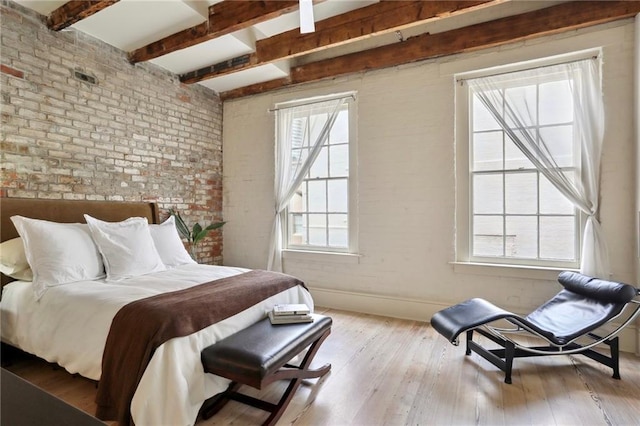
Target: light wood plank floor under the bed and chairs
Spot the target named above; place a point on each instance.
(396, 372)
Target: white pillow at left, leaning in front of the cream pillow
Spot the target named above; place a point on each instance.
(59, 253)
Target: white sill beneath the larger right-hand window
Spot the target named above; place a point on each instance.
(512, 271)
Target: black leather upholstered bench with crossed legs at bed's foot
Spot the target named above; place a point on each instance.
(258, 356)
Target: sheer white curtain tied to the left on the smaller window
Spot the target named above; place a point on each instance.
(294, 125)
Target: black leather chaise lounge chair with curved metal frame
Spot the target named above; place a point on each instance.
(571, 316)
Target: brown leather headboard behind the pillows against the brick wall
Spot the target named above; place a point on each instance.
(69, 211)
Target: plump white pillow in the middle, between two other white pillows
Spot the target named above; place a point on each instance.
(127, 247)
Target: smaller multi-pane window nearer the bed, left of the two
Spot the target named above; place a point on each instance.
(320, 214)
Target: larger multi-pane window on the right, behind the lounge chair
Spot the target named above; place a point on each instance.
(514, 214)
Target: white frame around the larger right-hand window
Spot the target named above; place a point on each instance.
(464, 176)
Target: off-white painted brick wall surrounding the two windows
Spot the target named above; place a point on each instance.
(406, 182)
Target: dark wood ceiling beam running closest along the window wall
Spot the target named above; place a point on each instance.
(543, 22)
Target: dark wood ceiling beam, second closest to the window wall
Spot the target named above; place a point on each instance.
(378, 18)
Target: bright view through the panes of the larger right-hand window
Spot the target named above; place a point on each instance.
(516, 213)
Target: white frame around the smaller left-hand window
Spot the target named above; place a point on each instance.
(352, 214)
